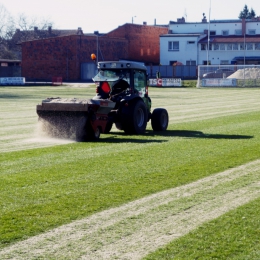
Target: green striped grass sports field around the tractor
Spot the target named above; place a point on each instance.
(47, 183)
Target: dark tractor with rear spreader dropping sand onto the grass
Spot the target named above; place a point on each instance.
(121, 99)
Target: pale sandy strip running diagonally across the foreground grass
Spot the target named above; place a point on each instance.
(142, 226)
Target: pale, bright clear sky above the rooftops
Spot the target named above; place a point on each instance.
(106, 15)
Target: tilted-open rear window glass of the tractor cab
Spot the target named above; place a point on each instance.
(112, 75)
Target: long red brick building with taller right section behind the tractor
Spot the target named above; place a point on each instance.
(64, 55)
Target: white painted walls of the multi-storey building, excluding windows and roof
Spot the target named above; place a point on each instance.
(182, 33)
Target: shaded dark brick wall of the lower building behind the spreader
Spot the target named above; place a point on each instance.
(62, 56)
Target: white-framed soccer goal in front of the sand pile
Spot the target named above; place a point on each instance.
(228, 76)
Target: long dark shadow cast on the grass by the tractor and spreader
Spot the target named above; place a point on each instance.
(116, 138)
